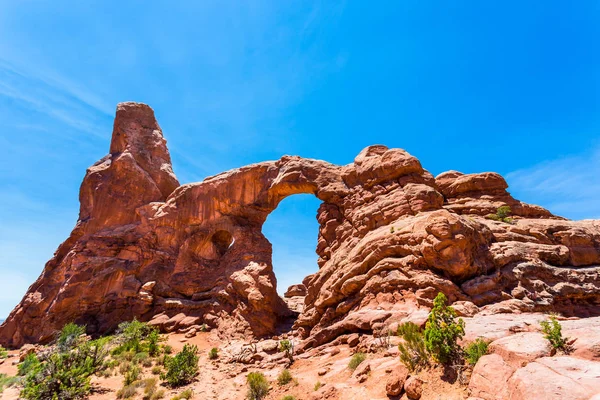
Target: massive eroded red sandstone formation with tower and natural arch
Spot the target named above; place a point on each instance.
(391, 236)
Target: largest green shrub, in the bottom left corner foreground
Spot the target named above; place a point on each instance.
(66, 375)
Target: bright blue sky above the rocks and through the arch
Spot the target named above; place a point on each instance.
(508, 86)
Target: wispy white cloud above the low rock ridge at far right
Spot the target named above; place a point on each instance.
(567, 186)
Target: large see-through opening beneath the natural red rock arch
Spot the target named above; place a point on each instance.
(292, 229)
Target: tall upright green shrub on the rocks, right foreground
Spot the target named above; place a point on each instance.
(442, 331)
